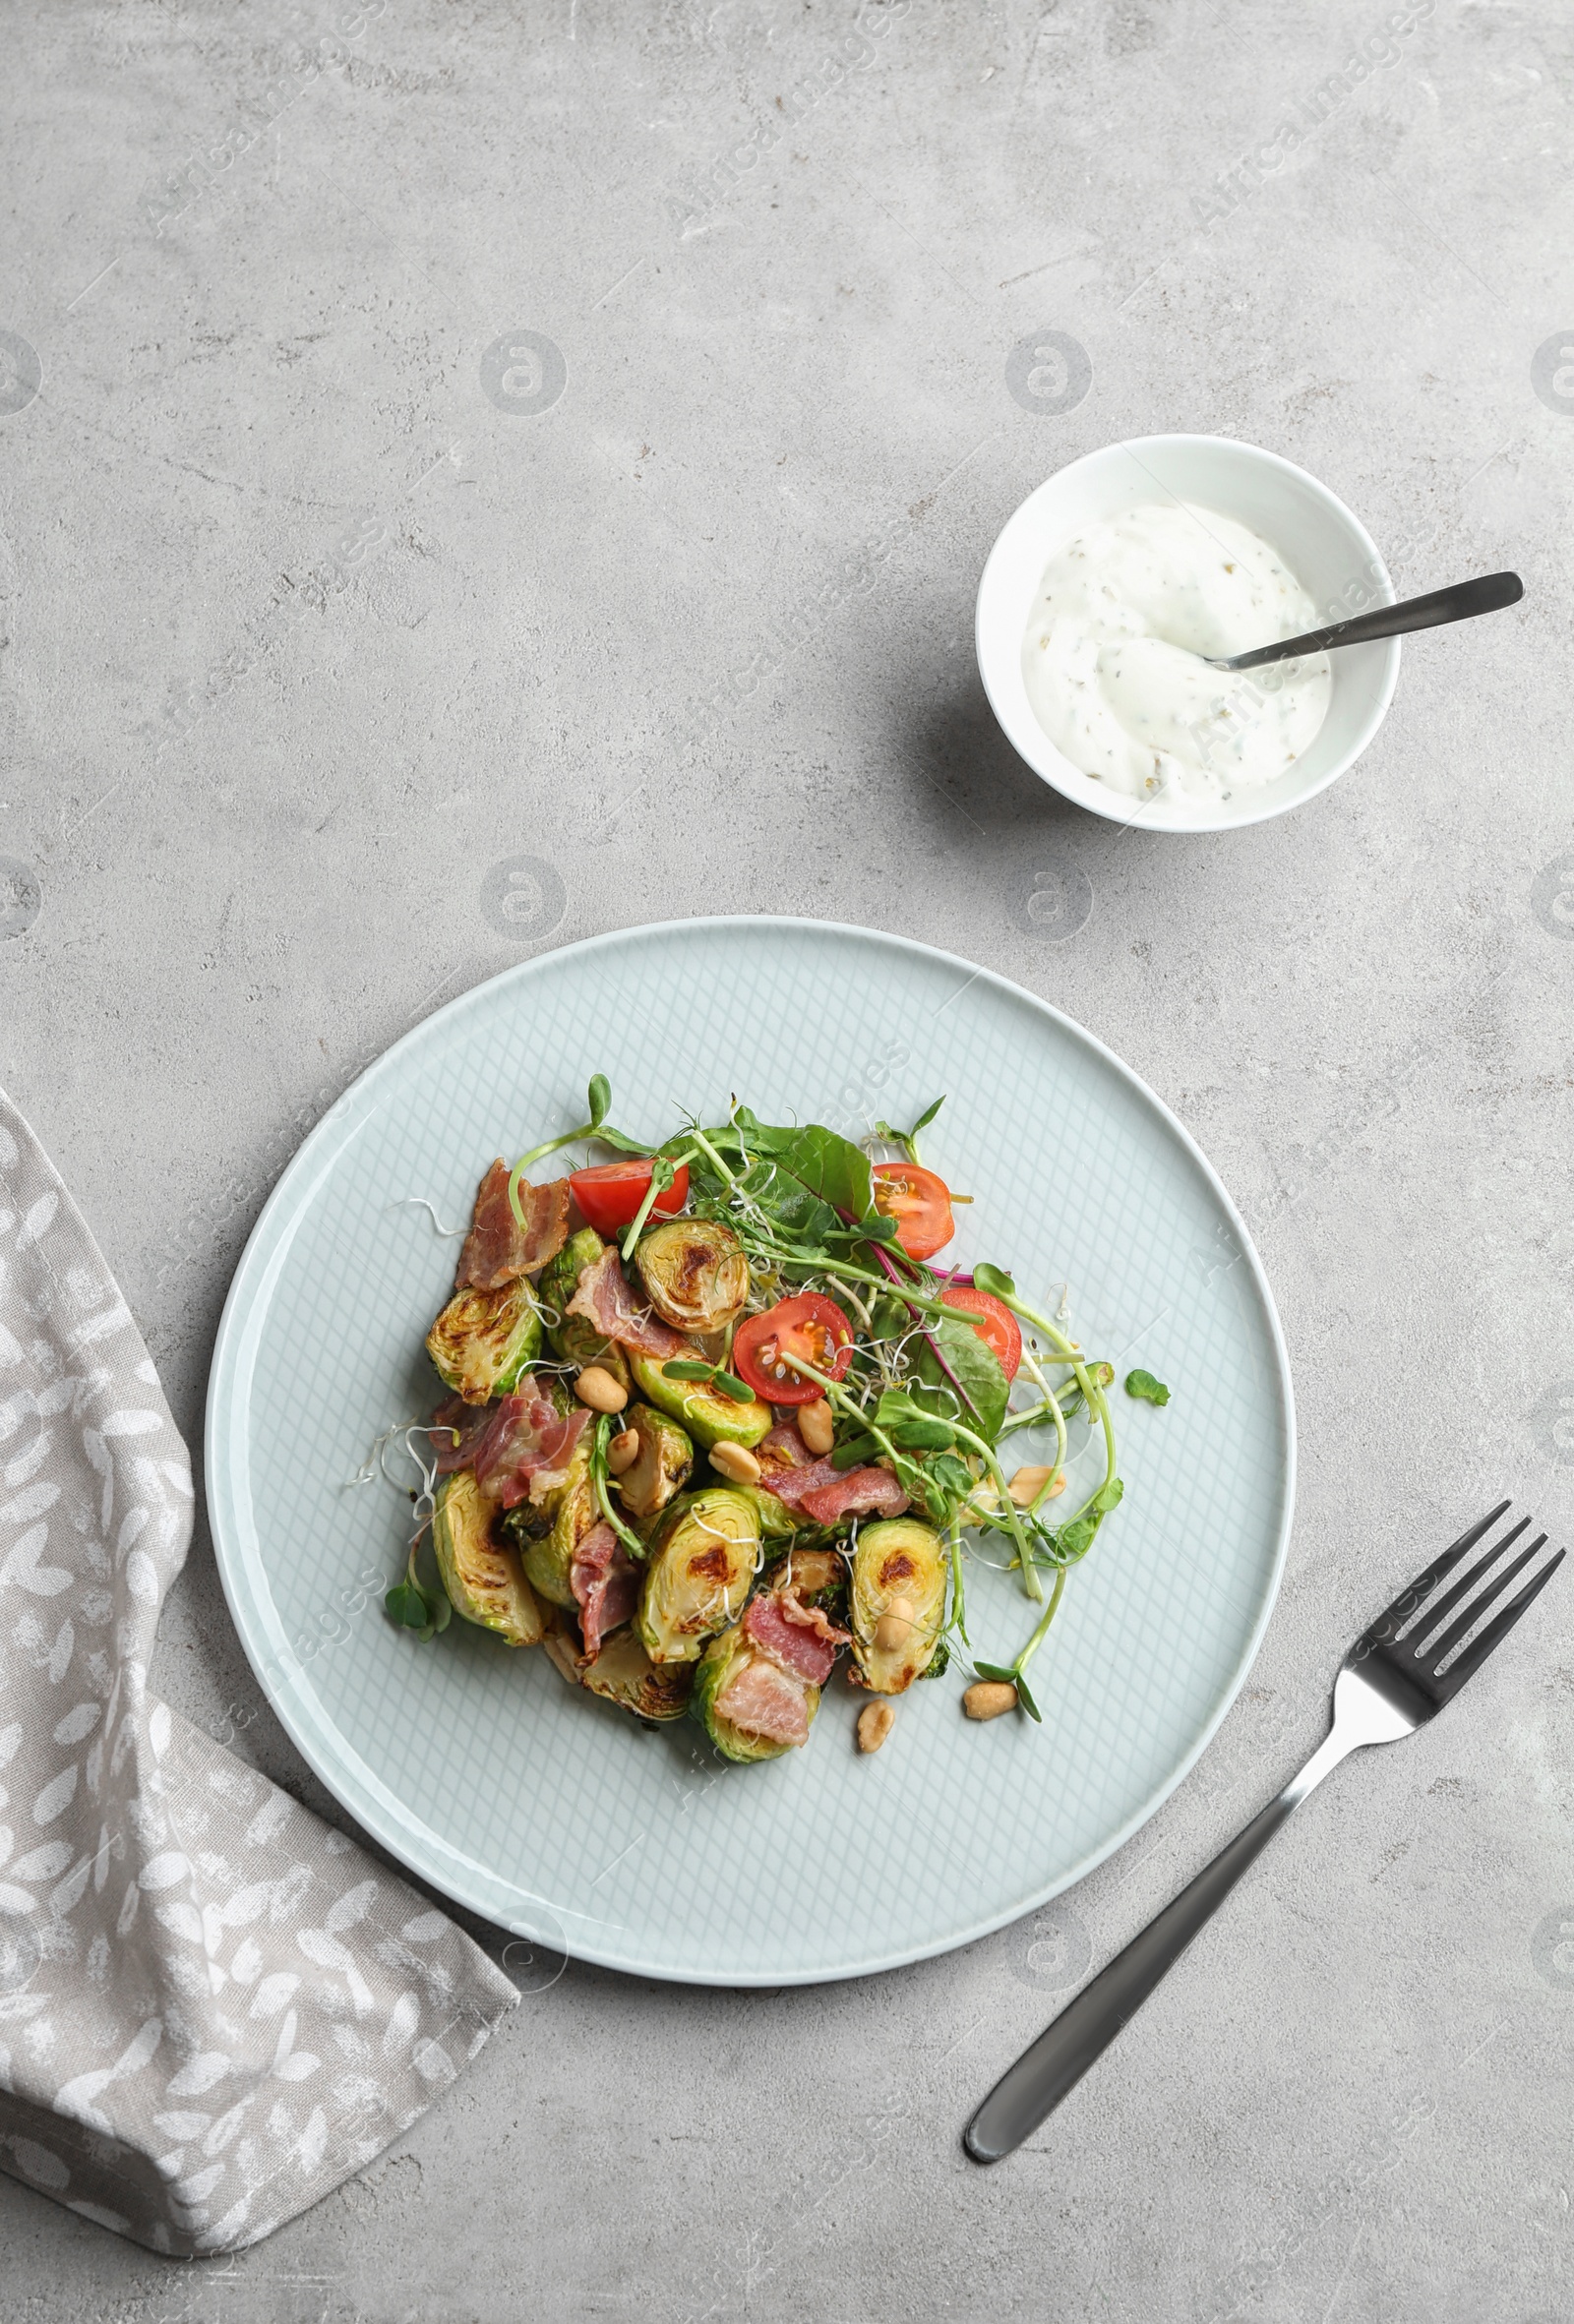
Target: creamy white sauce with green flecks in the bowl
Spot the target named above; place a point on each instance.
(1115, 650)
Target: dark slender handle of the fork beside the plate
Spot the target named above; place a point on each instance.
(1082, 2032)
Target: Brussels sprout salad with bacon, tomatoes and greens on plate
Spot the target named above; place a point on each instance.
(717, 1416)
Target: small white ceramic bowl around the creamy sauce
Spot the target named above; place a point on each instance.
(1329, 550)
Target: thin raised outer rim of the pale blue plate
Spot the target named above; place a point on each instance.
(229, 1554)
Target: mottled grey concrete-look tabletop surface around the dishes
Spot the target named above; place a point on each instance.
(475, 478)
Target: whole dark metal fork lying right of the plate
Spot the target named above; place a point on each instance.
(1398, 1677)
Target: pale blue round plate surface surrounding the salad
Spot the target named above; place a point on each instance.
(561, 1819)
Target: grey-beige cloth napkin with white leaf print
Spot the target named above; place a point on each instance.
(213, 2007)
